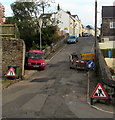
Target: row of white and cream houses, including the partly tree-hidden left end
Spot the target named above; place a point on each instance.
(65, 21)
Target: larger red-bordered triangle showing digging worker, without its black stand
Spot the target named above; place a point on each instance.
(99, 92)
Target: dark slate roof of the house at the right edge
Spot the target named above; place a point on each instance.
(108, 11)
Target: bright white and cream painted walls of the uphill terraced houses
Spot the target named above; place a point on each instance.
(67, 23)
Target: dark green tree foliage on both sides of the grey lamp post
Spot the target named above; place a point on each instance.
(26, 17)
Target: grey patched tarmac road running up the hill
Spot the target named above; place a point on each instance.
(56, 92)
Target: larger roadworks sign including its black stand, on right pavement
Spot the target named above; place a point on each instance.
(99, 93)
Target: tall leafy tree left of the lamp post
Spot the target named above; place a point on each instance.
(25, 14)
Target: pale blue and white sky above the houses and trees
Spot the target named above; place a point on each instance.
(85, 9)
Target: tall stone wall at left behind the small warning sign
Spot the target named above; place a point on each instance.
(13, 53)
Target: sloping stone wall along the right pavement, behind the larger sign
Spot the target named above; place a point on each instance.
(102, 68)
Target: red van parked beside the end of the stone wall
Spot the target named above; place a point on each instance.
(35, 59)
